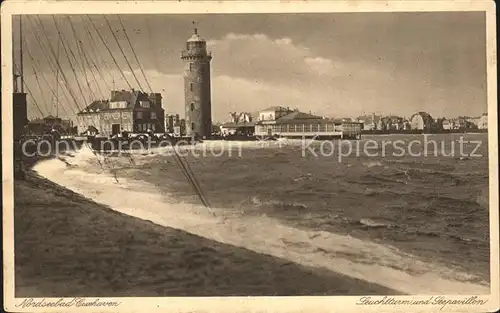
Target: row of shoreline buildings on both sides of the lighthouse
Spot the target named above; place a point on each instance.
(138, 112)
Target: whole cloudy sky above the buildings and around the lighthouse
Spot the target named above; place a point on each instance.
(331, 64)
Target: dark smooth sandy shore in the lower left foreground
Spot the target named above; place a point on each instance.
(69, 246)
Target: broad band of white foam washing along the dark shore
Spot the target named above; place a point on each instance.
(353, 257)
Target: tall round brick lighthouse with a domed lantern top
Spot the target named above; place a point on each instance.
(197, 90)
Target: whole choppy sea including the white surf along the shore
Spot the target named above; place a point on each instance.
(398, 221)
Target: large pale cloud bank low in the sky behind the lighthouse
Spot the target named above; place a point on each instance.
(255, 71)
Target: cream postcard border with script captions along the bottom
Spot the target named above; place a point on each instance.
(241, 304)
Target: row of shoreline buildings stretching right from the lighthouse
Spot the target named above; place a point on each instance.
(282, 121)
